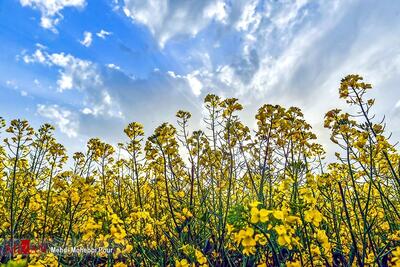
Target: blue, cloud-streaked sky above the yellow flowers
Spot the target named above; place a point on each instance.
(92, 66)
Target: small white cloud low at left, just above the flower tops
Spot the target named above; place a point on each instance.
(66, 120)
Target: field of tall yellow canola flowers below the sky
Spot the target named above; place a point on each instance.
(225, 196)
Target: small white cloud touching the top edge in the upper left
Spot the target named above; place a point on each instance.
(51, 10)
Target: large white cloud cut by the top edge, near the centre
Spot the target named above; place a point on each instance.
(175, 17)
